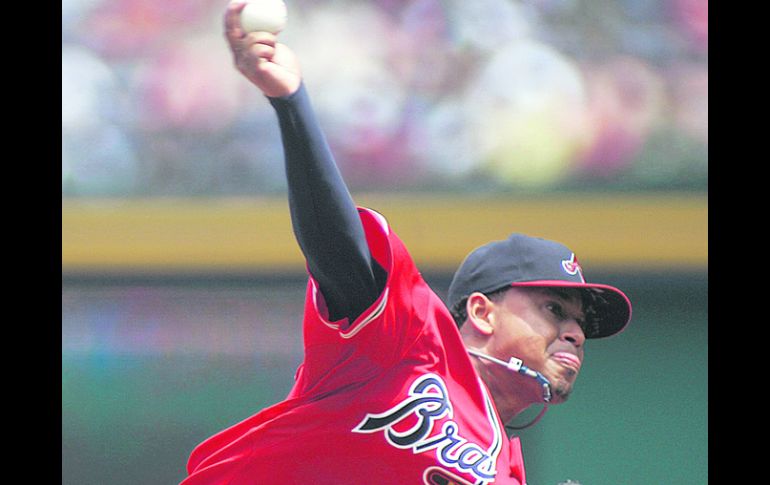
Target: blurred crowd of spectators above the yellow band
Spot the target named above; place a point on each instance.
(439, 95)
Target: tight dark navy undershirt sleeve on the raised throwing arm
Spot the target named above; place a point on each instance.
(324, 217)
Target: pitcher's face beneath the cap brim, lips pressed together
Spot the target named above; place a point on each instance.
(542, 327)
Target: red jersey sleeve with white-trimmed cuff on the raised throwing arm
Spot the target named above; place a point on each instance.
(342, 352)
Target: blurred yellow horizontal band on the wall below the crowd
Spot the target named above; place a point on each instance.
(254, 234)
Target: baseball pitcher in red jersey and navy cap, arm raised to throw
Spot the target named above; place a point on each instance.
(396, 387)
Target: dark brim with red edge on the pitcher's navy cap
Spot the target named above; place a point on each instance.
(608, 311)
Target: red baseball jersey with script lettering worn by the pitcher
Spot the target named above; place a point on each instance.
(390, 398)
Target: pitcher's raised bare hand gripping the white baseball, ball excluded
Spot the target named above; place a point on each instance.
(269, 65)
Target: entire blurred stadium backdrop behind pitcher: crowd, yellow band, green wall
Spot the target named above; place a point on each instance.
(584, 121)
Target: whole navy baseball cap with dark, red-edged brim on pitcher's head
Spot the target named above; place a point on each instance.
(522, 260)
